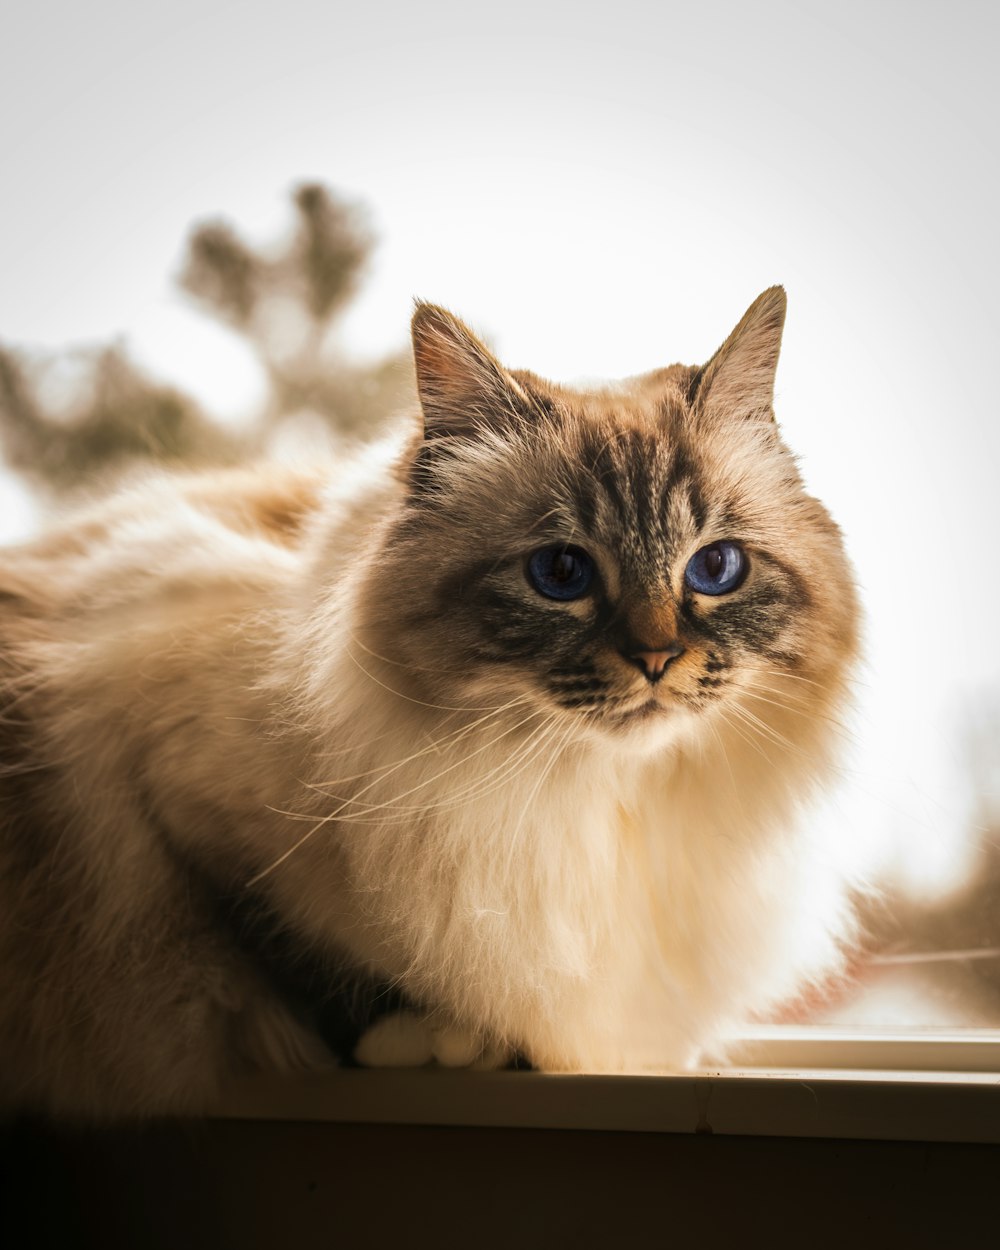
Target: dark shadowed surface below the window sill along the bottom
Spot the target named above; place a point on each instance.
(252, 1186)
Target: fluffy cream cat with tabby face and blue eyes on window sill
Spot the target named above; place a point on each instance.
(489, 743)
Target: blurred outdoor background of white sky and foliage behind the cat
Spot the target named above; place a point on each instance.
(216, 218)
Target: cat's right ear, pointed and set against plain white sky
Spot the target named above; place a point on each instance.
(739, 379)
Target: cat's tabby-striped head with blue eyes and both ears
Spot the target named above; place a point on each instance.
(631, 559)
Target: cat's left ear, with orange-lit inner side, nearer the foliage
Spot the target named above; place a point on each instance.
(463, 388)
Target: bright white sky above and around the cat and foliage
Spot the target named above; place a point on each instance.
(602, 189)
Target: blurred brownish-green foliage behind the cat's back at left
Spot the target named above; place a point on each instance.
(83, 417)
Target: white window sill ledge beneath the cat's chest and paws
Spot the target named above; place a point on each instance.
(929, 1088)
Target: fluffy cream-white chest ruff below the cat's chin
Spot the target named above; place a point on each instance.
(599, 912)
